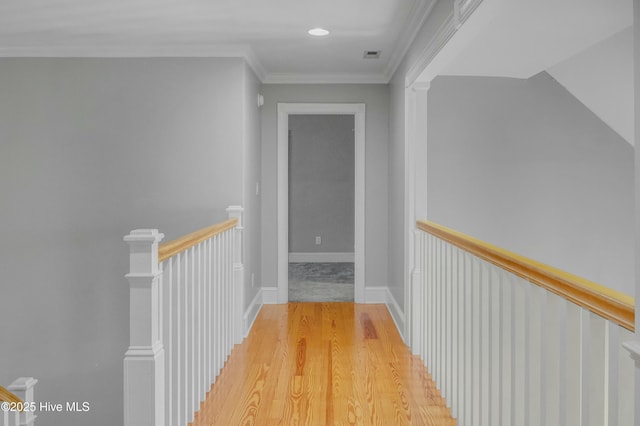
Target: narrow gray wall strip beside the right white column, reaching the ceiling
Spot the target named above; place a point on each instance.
(396, 205)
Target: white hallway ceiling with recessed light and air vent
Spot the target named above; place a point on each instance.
(272, 34)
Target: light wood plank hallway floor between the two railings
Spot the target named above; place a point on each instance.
(323, 364)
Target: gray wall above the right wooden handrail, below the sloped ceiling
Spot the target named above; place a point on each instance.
(524, 165)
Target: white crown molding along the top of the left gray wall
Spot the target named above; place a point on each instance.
(243, 51)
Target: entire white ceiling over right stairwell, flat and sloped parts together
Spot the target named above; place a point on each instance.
(586, 45)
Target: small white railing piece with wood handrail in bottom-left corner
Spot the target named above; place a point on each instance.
(18, 404)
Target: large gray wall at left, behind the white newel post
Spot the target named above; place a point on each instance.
(90, 149)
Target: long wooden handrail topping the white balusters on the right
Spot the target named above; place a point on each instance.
(603, 301)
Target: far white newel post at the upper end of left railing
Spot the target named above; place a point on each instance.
(238, 275)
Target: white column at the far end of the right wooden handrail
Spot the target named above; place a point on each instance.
(415, 205)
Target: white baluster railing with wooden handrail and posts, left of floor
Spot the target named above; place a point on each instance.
(186, 317)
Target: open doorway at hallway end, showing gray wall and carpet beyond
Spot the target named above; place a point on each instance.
(321, 208)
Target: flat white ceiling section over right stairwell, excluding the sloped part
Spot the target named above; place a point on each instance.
(526, 37)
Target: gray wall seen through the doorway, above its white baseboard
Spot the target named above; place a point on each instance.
(321, 183)
